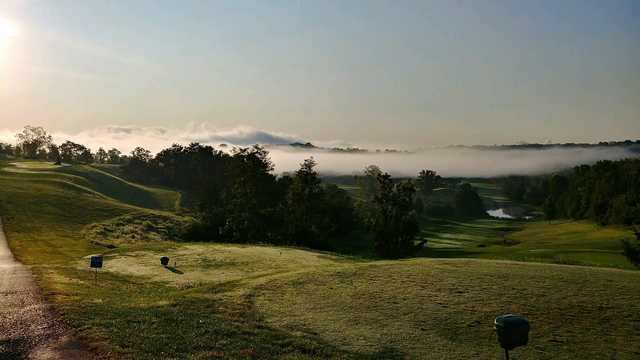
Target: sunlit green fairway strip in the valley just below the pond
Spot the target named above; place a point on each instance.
(560, 242)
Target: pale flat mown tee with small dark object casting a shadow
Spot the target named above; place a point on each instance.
(207, 264)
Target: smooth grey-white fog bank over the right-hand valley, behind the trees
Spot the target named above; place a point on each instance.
(451, 162)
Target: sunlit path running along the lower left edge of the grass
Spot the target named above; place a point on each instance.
(27, 328)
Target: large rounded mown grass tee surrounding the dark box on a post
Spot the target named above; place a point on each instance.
(437, 309)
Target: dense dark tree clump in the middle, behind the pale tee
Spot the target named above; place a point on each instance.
(239, 199)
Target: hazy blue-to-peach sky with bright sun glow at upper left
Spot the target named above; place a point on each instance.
(364, 72)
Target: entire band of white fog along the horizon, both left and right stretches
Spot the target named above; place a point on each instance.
(450, 162)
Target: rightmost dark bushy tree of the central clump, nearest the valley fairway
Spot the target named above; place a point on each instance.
(394, 224)
